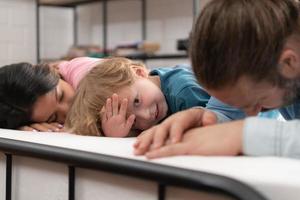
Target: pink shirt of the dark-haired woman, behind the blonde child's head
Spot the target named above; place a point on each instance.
(74, 70)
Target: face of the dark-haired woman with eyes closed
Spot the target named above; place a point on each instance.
(54, 105)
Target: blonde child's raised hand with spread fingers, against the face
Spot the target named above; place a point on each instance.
(113, 118)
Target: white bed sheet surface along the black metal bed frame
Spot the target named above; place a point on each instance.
(276, 178)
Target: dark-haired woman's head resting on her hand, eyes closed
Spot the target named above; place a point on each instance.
(33, 94)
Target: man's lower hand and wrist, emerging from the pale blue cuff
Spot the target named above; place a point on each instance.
(221, 139)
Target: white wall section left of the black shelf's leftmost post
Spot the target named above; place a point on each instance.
(17, 31)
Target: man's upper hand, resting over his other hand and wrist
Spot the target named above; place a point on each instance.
(172, 129)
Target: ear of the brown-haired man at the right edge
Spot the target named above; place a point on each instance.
(289, 63)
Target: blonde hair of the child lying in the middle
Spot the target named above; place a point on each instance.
(94, 89)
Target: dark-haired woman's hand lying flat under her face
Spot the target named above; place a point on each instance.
(43, 127)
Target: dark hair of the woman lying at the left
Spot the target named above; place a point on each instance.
(20, 86)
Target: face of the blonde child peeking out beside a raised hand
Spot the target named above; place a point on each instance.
(146, 101)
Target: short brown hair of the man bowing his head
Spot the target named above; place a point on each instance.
(234, 38)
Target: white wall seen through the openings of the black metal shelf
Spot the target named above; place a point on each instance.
(167, 21)
